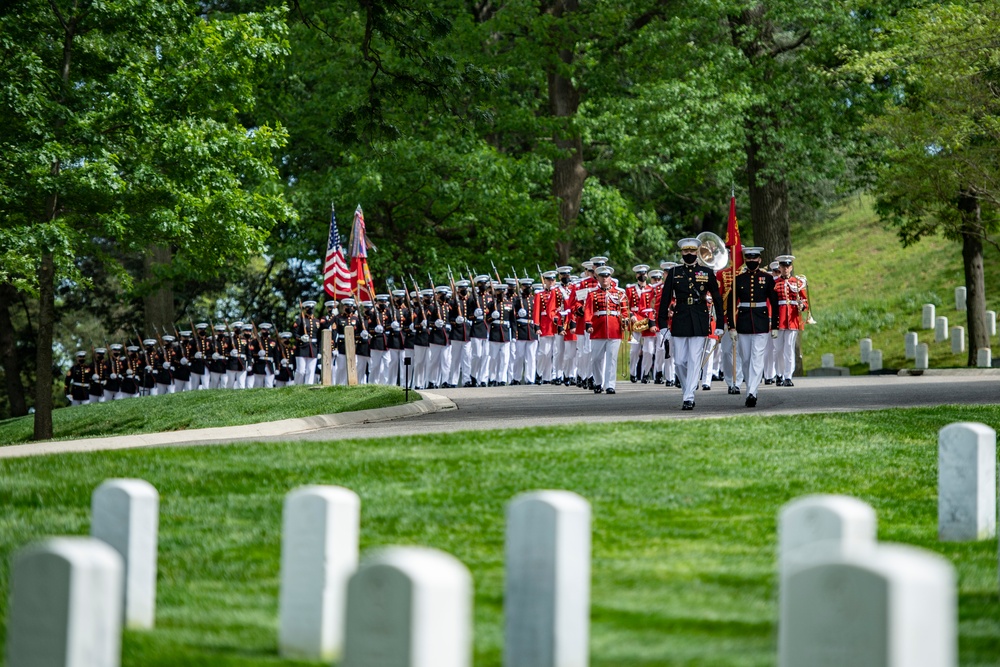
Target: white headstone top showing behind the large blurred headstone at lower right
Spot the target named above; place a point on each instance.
(824, 525)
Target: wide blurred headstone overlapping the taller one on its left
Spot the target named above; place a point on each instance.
(409, 607)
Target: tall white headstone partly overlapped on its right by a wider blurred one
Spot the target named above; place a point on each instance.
(319, 553)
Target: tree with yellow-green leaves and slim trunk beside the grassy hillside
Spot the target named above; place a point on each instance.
(940, 130)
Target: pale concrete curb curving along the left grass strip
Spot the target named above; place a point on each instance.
(430, 403)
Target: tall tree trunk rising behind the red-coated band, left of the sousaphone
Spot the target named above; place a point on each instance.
(568, 172)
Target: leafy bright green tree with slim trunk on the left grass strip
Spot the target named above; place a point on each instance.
(122, 131)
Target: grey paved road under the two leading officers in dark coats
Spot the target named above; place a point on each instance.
(506, 407)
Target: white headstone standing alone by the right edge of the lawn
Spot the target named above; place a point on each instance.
(967, 482)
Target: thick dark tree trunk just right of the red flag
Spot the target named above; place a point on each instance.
(768, 203)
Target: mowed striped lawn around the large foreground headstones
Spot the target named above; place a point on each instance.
(683, 538)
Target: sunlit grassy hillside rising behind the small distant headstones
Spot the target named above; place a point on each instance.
(864, 284)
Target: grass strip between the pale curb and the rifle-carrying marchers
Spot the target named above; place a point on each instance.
(203, 409)
